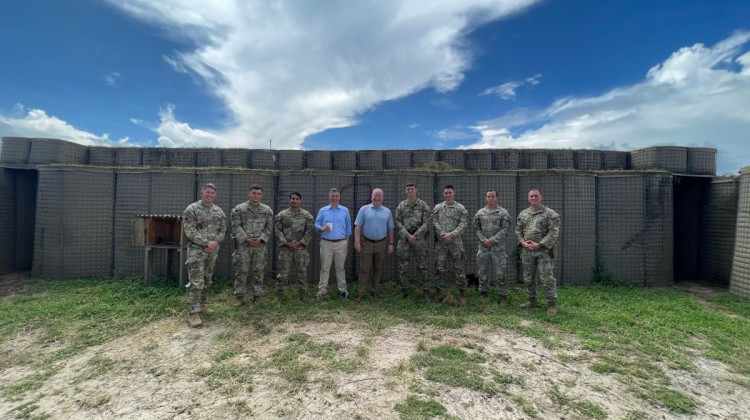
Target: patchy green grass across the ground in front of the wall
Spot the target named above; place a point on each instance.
(633, 334)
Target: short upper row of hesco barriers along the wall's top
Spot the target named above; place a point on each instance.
(683, 160)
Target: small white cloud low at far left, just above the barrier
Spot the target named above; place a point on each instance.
(23, 122)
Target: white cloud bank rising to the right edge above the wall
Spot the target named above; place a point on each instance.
(699, 96)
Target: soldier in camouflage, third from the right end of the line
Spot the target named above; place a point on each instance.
(450, 219)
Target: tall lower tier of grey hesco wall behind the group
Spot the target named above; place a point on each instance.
(91, 211)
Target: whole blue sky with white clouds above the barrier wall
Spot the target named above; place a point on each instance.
(379, 75)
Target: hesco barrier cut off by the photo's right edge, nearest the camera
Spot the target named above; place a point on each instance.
(740, 280)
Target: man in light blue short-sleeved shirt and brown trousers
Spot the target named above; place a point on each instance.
(373, 237)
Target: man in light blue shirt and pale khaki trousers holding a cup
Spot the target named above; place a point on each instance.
(335, 225)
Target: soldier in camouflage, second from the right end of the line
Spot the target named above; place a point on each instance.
(491, 224)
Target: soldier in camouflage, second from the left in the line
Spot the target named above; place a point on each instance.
(252, 226)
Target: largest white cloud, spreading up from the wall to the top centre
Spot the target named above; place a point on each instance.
(289, 69)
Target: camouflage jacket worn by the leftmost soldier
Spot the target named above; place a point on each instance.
(203, 224)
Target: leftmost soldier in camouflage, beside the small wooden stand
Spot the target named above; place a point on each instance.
(204, 224)
